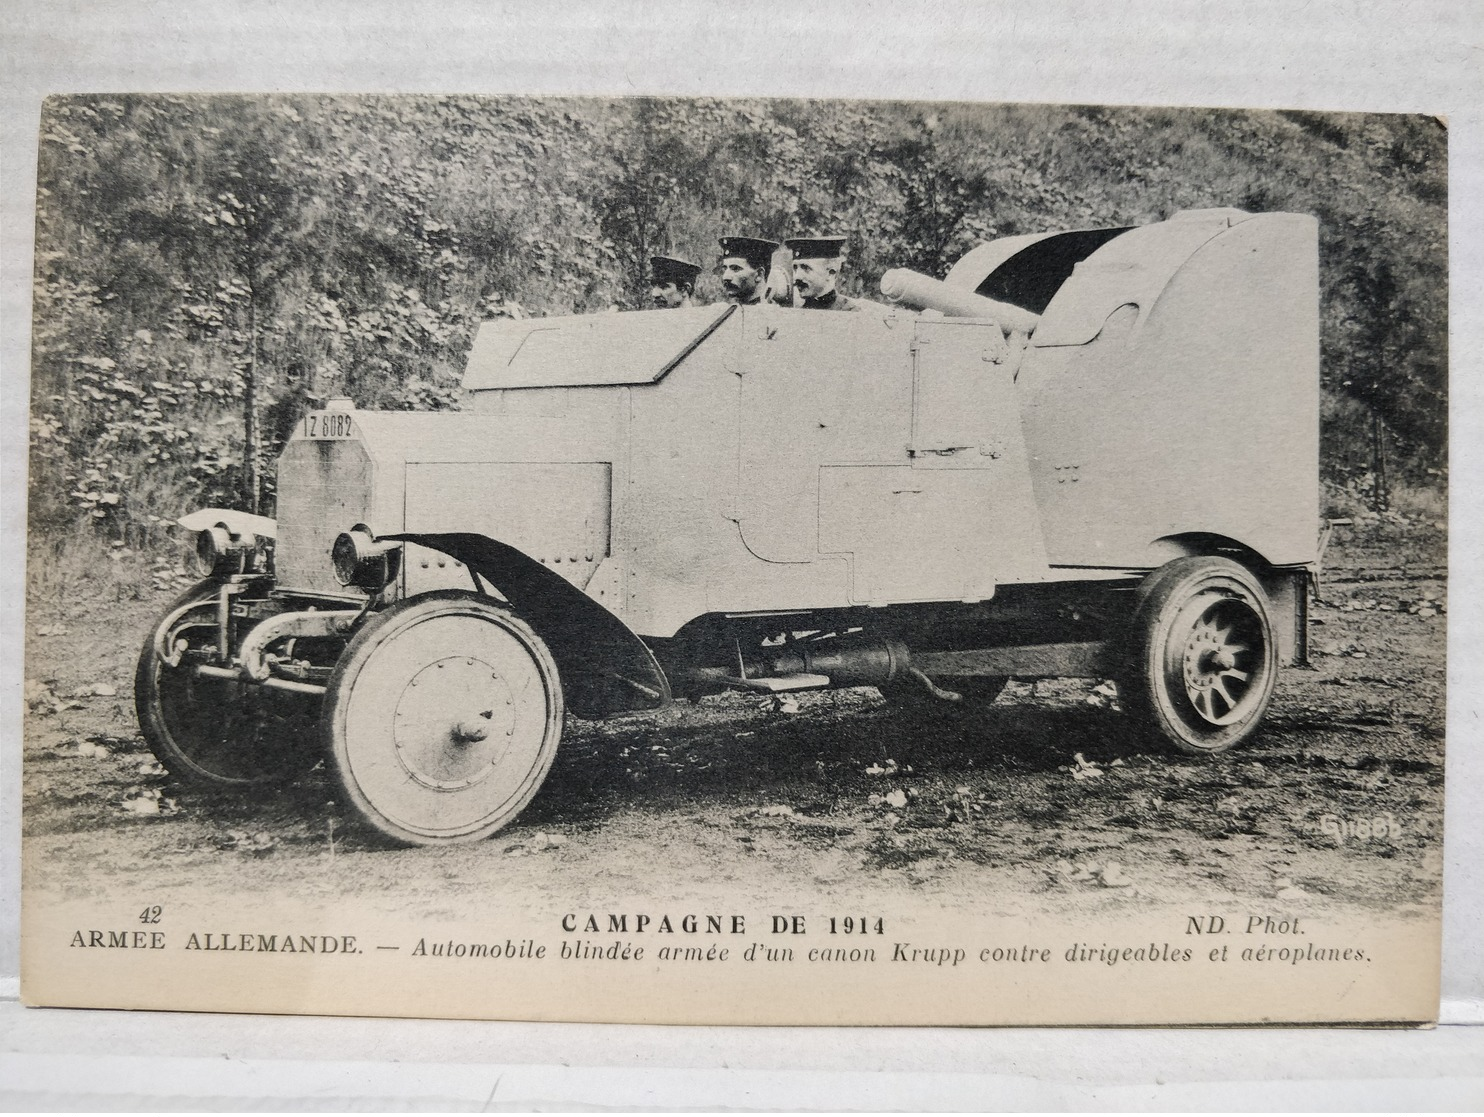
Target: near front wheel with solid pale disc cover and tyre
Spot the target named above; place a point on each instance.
(443, 719)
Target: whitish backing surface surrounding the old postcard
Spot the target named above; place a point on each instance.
(1402, 57)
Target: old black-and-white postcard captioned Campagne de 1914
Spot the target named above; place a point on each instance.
(737, 561)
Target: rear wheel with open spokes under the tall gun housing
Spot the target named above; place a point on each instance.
(1203, 661)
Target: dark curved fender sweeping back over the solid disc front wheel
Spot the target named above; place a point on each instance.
(606, 668)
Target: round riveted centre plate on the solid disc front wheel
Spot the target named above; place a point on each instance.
(453, 723)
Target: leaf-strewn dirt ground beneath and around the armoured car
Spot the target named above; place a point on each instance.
(1044, 805)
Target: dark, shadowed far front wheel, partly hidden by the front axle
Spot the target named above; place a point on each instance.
(217, 732)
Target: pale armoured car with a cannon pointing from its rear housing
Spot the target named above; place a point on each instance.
(1080, 455)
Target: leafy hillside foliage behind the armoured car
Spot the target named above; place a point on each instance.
(210, 268)
